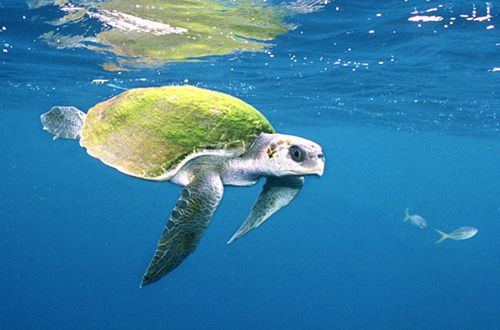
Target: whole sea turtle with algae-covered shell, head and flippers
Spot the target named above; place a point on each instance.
(196, 138)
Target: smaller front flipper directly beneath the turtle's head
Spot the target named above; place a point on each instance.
(277, 193)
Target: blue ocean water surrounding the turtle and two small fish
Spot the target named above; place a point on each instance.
(407, 112)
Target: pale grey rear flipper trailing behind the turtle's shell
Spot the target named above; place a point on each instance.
(63, 122)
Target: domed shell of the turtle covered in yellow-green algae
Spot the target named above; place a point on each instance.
(148, 132)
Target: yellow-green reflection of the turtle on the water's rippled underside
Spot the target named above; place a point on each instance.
(151, 33)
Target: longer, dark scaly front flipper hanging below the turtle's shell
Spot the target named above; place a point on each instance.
(187, 223)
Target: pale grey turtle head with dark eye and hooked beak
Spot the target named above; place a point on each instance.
(291, 155)
